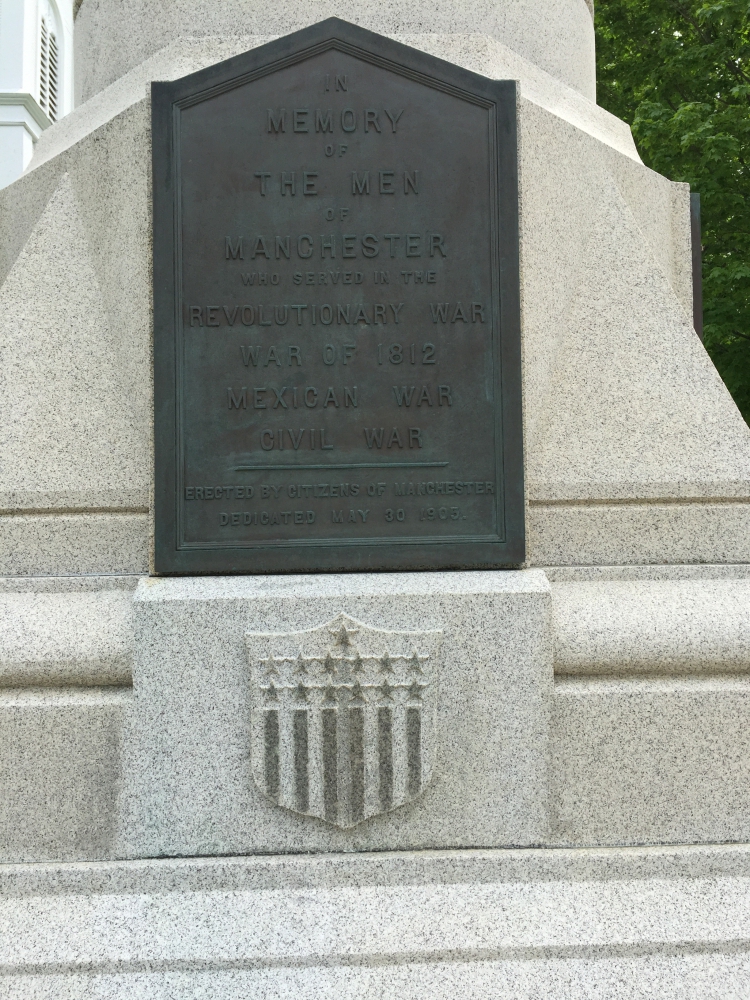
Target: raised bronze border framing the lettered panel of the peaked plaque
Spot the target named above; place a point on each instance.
(499, 97)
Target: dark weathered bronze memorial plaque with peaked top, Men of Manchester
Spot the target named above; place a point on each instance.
(336, 329)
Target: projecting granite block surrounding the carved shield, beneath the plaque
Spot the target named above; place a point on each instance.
(188, 770)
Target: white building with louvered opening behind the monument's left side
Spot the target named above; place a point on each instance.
(36, 76)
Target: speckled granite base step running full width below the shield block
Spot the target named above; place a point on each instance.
(508, 924)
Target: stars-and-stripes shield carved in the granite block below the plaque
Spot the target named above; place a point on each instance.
(343, 718)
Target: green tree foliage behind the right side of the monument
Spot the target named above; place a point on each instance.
(678, 71)
